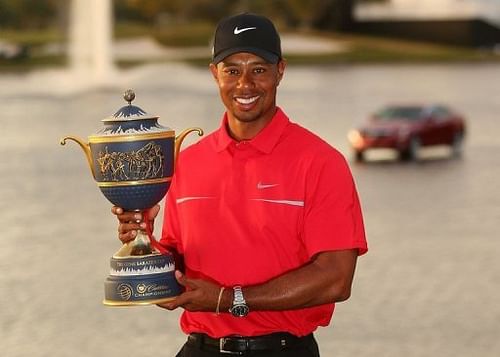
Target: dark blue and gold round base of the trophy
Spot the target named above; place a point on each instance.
(141, 280)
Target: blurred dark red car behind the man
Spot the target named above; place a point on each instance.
(406, 128)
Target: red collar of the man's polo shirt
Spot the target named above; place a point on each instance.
(264, 141)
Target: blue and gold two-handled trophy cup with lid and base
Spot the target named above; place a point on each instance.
(132, 159)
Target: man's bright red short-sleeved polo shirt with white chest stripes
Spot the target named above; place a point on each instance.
(244, 213)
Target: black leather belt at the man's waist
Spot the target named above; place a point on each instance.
(238, 344)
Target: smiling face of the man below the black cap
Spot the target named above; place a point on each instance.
(247, 85)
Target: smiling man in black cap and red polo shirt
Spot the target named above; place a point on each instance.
(264, 214)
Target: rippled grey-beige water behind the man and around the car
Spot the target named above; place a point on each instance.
(428, 287)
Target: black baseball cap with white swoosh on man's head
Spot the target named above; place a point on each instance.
(246, 33)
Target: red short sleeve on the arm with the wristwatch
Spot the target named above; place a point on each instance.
(332, 219)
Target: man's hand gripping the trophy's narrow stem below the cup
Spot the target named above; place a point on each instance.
(130, 222)
